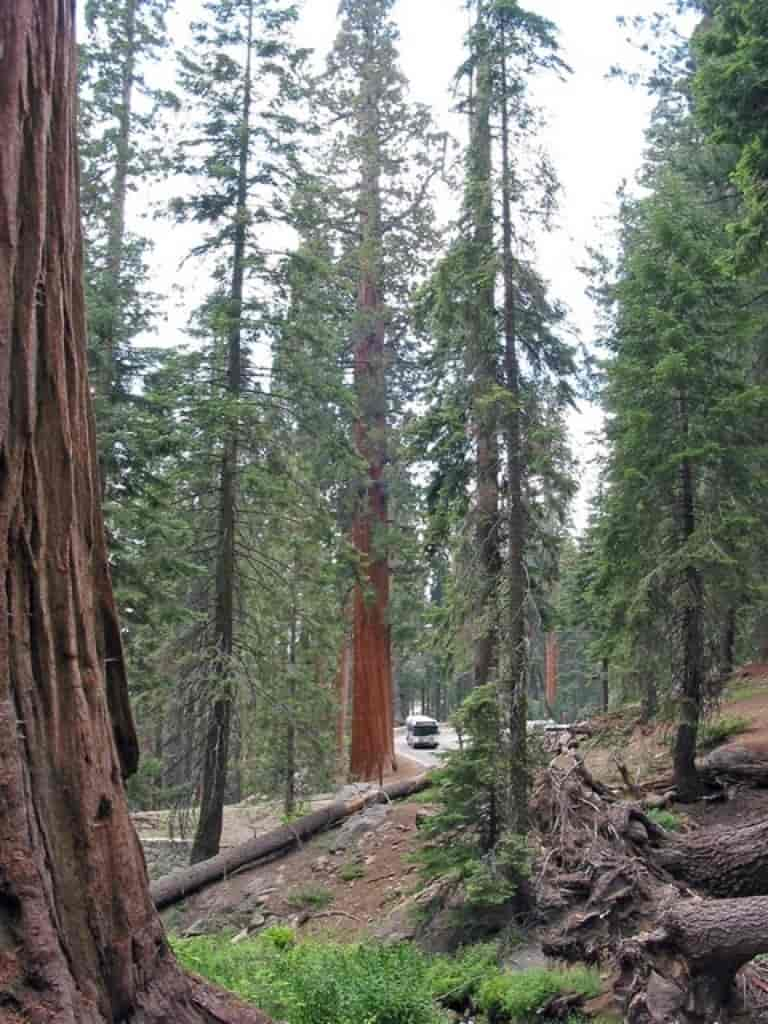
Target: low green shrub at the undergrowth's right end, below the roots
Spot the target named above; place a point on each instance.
(519, 998)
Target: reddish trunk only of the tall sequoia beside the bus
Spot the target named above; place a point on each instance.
(372, 741)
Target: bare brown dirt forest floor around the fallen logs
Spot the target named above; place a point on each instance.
(360, 880)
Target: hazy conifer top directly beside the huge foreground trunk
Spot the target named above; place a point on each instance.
(120, 110)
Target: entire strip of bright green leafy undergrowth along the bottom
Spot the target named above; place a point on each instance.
(322, 984)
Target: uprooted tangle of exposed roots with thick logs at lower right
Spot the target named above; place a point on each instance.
(613, 888)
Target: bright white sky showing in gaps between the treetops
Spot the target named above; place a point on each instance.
(594, 138)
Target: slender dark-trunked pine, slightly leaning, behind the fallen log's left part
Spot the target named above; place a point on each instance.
(243, 79)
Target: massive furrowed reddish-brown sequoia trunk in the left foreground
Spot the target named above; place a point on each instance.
(80, 941)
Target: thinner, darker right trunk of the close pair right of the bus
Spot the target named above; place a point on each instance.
(517, 688)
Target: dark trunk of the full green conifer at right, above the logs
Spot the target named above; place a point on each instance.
(688, 669)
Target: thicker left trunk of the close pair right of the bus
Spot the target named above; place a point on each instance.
(484, 362)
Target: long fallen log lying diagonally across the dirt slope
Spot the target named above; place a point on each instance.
(173, 888)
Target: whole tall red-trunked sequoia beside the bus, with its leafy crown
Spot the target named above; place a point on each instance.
(386, 155)
